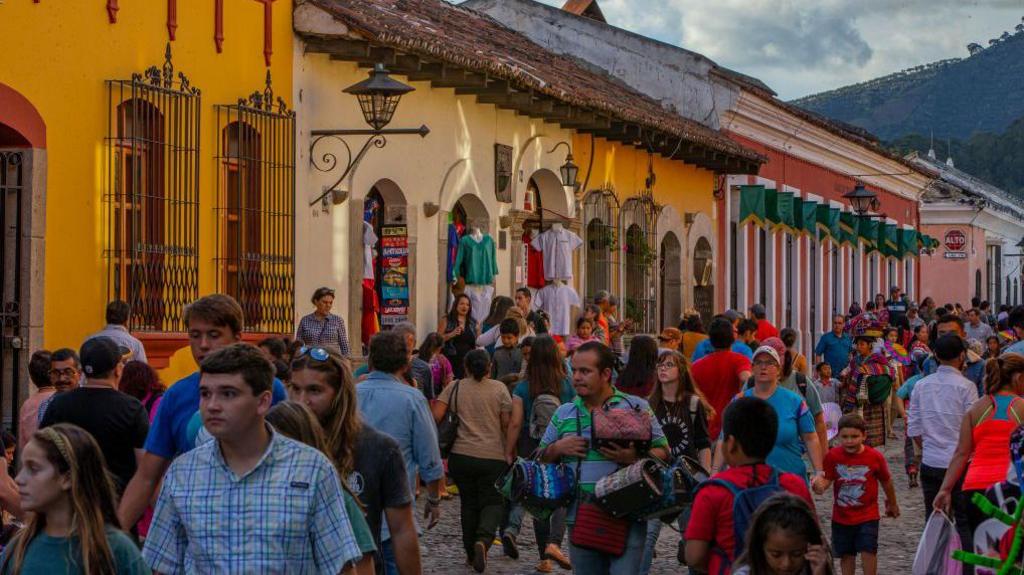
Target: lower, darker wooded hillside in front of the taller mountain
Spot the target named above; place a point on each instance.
(997, 159)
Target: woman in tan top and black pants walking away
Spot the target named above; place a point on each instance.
(479, 455)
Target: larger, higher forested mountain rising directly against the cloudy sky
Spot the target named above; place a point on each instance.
(982, 94)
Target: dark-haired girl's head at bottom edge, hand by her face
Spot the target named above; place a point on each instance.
(785, 539)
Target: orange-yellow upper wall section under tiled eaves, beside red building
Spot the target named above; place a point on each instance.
(624, 169)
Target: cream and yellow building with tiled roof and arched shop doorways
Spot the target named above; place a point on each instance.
(499, 109)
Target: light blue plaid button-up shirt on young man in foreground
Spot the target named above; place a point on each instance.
(287, 515)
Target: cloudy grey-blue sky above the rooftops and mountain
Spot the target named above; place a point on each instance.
(801, 48)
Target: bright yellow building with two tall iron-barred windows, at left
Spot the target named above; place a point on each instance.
(143, 158)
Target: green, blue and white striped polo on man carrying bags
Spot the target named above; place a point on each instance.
(595, 466)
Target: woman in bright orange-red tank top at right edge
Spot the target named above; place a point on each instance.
(983, 455)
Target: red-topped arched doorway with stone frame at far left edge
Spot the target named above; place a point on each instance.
(23, 169)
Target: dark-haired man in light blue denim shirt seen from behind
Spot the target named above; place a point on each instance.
(392, 407)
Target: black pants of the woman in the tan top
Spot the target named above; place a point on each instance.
(482, 505)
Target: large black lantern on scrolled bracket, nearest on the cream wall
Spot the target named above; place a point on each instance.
(378, 97)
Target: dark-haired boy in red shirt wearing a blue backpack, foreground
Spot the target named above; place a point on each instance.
(749, 429)
